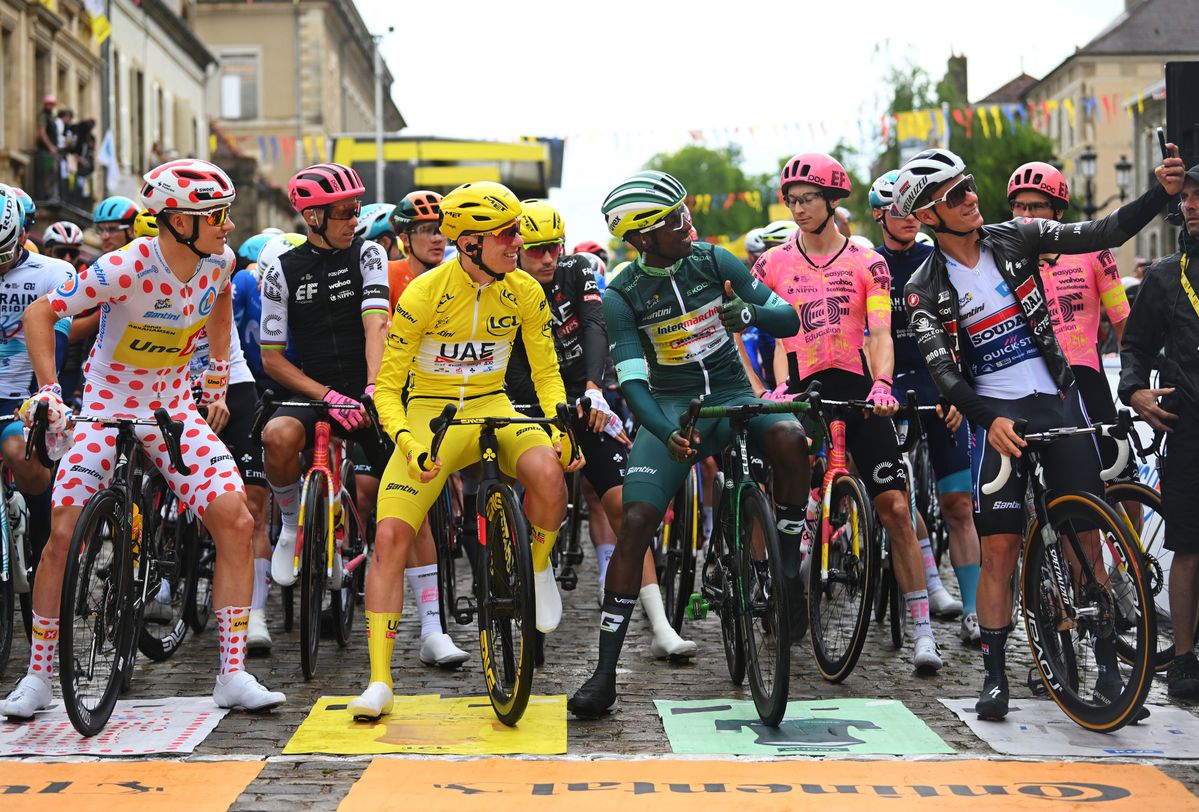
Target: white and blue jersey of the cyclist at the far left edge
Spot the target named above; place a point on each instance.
(31, 279)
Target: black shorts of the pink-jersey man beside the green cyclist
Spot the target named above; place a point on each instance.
(871, 442)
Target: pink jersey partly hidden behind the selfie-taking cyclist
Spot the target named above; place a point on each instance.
(1077, 286)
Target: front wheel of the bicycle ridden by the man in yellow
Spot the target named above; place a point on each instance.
(507, 606)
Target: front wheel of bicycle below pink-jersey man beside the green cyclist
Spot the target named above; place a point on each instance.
(840, 611)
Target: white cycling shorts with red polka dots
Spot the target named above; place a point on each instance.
(88, 467)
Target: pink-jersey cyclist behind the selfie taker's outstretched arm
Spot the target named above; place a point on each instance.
(1077, 288)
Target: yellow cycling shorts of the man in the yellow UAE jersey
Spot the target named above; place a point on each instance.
(402, 497)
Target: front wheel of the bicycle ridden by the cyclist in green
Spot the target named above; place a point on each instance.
(764, 616)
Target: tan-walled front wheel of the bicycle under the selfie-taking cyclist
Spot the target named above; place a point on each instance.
(1077, 657)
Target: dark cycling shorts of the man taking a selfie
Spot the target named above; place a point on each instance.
(1070, 465)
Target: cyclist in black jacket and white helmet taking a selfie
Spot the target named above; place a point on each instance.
(979, 311)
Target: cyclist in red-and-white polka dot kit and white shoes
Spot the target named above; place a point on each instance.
(155, 297)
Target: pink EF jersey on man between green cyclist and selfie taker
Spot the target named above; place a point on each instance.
(836, 304)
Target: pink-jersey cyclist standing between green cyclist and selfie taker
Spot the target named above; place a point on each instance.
(840, 291)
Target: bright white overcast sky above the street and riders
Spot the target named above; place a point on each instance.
(625, 80)
